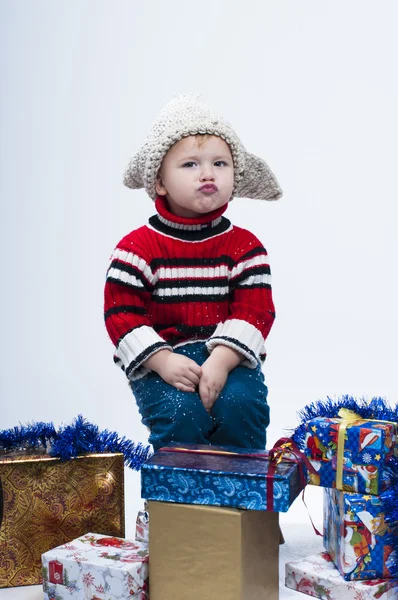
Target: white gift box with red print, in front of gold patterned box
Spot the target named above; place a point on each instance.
(96, 567)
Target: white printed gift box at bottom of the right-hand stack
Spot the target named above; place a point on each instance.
(317, 576)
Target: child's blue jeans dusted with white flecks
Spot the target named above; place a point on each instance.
(239, 416)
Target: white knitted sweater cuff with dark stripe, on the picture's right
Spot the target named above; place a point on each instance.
(241, 336)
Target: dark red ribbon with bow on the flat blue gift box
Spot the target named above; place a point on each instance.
(284, 450)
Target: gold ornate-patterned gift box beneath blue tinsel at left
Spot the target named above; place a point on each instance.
(45, 502)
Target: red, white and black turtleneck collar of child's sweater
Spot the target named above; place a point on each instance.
(190, 229)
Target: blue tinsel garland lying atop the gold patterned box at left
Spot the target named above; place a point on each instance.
(76, 439)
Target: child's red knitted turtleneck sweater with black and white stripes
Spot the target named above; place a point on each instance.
(178, 280)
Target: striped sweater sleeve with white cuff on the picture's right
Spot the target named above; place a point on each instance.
(251, 310)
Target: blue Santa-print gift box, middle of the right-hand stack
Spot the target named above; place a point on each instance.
(357, 537)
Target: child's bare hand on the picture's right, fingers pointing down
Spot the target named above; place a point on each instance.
(215, 371)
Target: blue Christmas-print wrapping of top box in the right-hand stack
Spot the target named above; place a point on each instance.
(367, 448)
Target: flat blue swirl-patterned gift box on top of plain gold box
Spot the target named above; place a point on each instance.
(237, 480)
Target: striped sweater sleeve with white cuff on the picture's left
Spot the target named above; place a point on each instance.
(128, 288)
